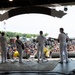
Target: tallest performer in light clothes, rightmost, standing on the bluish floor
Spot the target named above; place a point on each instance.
(62, 39)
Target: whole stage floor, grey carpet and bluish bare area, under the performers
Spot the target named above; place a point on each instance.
(29, 67)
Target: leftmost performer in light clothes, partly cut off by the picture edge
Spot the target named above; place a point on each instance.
(3, 44)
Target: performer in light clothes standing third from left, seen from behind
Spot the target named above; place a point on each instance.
(41, 42)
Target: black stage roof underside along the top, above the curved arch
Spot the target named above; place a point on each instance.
(19, 3)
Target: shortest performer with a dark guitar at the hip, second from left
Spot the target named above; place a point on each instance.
(19, 44)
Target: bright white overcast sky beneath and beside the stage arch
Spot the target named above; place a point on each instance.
(33, 23)
